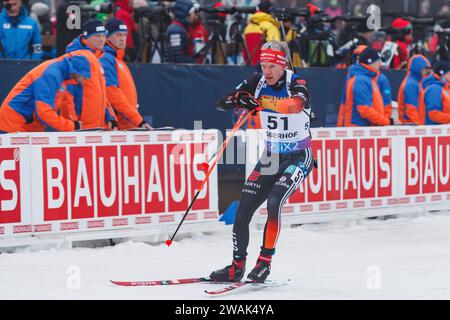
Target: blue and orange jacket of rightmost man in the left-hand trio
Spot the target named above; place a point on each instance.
(120, 88)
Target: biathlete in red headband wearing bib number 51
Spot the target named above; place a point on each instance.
(279, 100)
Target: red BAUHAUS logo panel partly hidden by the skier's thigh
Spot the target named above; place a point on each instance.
(349, 169)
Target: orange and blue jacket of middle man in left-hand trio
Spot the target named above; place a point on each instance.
(86, 102)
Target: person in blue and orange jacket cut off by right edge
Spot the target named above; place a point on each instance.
(435, 96)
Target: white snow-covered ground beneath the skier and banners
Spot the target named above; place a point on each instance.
(403, 258)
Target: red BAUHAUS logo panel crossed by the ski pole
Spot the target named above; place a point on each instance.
(81, 182)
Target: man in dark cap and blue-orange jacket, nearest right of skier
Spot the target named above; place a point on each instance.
(364, 104)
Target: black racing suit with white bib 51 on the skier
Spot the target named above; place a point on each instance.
(283, 166)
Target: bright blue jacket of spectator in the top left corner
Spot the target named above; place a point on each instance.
(20, 37)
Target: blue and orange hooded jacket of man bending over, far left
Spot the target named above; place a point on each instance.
(30, 106)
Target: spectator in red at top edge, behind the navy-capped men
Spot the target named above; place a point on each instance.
(125, 13)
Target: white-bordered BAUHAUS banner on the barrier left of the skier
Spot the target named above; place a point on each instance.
(60, 183)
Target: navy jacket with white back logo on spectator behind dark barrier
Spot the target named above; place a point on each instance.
(178, 44)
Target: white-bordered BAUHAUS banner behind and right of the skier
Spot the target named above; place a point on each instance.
(368, 169)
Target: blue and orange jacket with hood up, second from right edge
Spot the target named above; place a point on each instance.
(408, 94)
